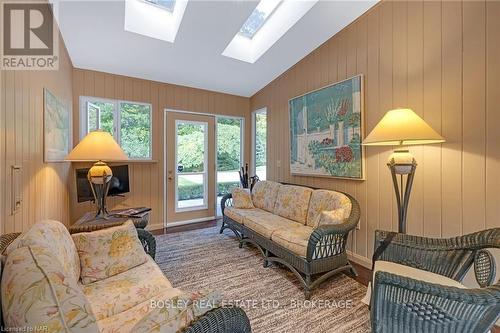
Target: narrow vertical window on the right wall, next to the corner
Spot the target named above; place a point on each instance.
(259, 142)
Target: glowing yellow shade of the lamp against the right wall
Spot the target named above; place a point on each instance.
(402, 127)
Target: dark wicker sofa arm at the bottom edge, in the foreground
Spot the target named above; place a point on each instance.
(221, 320)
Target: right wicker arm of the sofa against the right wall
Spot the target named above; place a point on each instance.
(329, 240)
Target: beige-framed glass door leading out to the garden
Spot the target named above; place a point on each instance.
(190, 166)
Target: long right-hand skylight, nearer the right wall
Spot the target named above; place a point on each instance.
(269, 21)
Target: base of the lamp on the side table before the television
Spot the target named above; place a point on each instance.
(99, 177)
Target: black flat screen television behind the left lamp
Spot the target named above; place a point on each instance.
(118, 185)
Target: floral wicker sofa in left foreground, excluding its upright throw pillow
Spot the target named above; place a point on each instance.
(41, 290)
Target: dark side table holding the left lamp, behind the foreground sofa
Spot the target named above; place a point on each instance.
(89, 222)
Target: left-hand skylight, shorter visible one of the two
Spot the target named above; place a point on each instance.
(158, 19)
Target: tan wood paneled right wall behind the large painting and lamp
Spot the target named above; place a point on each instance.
(442, 59)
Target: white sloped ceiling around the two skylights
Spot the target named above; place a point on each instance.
(94, 34)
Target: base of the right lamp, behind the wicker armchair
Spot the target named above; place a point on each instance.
(402, 163)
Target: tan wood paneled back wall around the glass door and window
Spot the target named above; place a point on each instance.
(147, 179)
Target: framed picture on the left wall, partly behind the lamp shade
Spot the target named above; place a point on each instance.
(57, 128)
